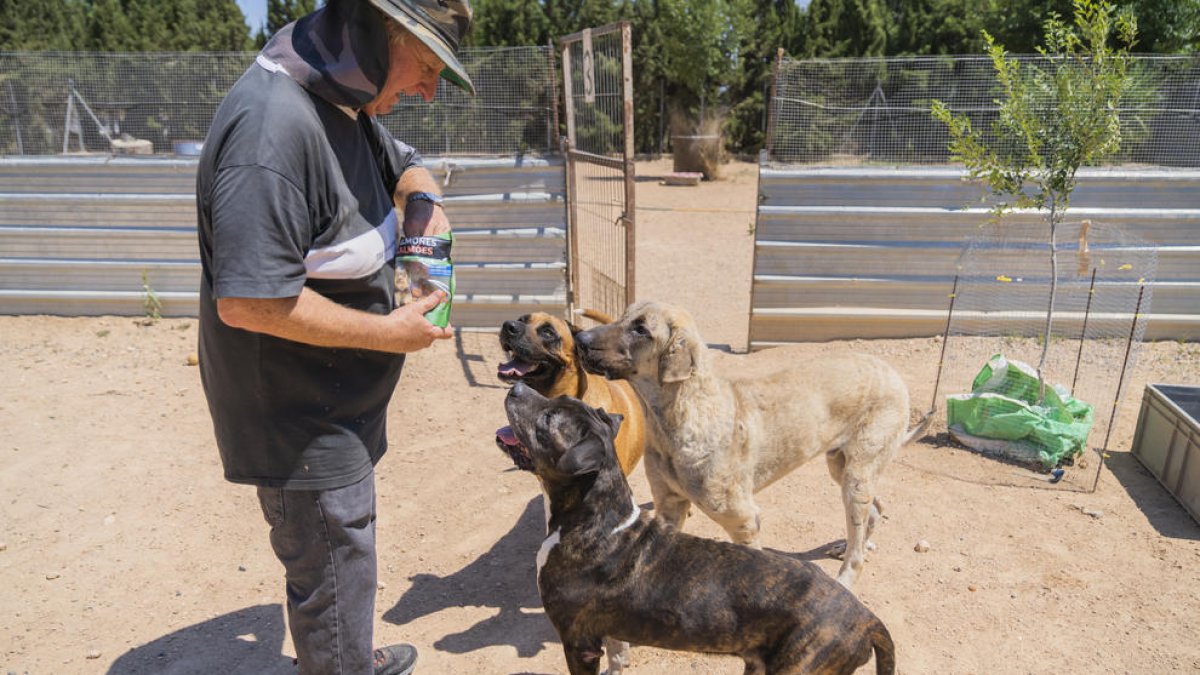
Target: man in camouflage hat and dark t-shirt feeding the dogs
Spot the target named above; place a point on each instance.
(301, 347)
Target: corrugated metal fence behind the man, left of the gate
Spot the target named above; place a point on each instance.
(91, 236)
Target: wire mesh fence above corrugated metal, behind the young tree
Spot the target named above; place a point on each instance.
(859, 111)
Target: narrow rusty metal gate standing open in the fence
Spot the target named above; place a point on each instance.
(598, 81)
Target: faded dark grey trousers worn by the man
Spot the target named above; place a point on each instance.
(326, 541)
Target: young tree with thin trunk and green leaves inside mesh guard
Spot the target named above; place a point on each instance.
(1054, 118)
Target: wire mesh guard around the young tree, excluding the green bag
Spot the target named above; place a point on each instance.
(1100, 313)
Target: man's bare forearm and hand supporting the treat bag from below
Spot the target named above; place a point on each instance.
(315, 320)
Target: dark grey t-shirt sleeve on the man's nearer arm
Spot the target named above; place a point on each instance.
(262, 230)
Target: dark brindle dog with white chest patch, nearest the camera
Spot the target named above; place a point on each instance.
(608, 571)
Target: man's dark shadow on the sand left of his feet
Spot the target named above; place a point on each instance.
(248, 642)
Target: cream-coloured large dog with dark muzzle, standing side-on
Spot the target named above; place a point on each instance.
(717, 441)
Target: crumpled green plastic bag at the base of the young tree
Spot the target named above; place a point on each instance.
(1004, 405)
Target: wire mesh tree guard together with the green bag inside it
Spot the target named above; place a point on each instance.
(1001, 303)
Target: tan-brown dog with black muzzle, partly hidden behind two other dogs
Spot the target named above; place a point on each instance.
(542, 349)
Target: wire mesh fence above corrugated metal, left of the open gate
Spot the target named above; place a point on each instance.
(164, 104)
